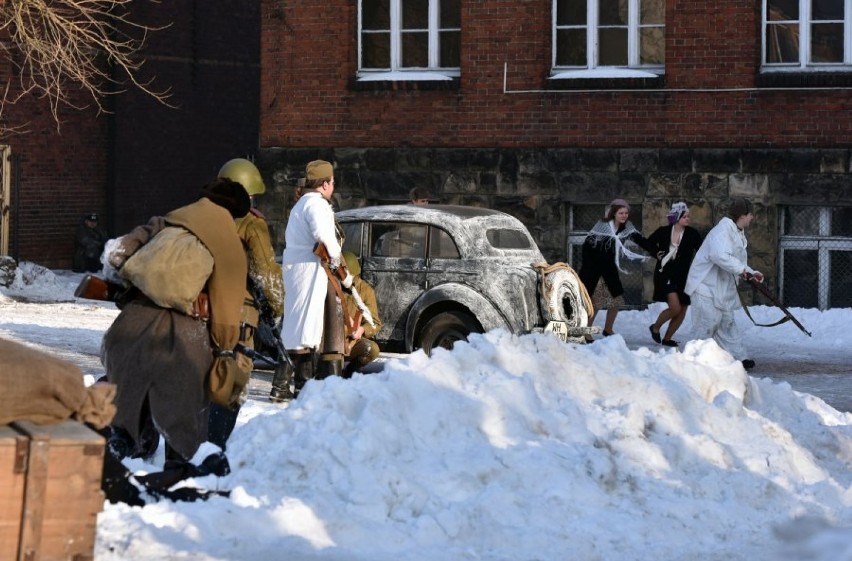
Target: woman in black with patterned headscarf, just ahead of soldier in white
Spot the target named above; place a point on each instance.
(675, 247)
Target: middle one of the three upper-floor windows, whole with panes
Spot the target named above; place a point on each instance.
(601, 35)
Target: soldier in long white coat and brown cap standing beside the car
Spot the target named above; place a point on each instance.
(306, 287)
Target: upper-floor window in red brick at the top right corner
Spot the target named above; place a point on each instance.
(806, 34)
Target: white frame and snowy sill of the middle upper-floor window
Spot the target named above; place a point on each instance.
(634, 68)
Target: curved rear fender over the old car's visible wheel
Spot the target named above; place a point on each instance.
(485, 312)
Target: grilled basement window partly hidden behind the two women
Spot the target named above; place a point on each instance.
(581, 219)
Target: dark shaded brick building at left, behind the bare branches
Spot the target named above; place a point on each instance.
(142, 158)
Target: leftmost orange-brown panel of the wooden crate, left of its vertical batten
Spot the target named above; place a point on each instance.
(14, 448)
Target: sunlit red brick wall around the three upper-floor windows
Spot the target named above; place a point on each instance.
(309, 98)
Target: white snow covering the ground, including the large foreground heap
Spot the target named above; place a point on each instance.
(511, 448)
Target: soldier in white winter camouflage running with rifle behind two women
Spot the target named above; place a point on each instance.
(712, 280)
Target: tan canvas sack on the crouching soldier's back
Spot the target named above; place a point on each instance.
(171, 269)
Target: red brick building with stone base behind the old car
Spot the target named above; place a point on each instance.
(548, 109)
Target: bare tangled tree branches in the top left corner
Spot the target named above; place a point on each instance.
(60, 45)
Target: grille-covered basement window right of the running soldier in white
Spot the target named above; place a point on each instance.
(815, 257)
